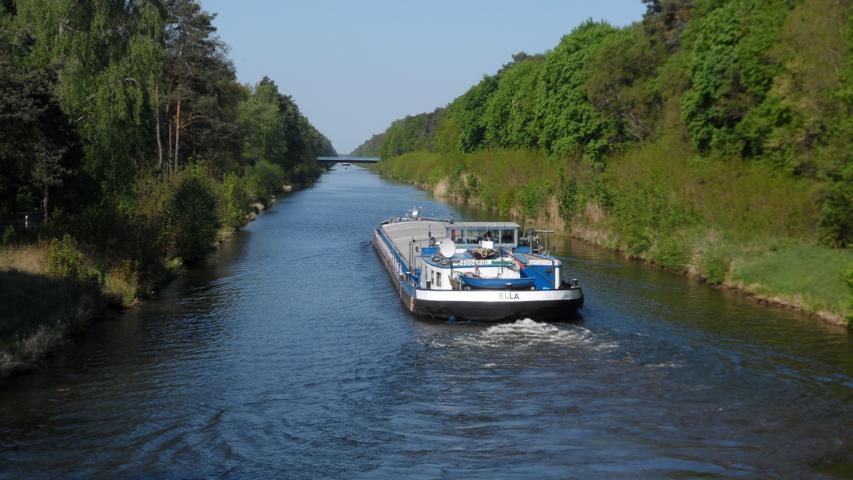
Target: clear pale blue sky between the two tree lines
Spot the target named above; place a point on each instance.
(355, 66)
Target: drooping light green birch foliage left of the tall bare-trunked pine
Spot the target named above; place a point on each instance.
(105, 73)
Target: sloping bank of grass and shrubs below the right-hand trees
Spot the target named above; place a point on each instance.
(732, 223)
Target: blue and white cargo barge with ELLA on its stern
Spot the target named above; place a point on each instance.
(473, 271)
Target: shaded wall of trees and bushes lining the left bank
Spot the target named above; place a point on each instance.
(124, 123)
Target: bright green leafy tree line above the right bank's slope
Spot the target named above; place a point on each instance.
(768, 83)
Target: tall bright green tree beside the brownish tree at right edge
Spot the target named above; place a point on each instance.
(730, 75)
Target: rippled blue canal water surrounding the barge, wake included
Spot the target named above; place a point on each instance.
(289, 355)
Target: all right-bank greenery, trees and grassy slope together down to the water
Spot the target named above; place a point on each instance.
(716, 136)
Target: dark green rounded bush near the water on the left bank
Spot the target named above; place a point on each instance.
(192, 218)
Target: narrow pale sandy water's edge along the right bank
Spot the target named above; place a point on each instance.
(598, 238)
